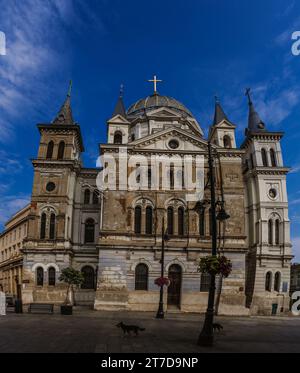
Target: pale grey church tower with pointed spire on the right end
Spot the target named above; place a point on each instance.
(269, 256)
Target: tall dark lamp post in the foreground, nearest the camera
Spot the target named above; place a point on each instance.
(206, 336)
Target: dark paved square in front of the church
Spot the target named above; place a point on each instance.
(95, 331)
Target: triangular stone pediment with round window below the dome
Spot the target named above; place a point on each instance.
(160, 141)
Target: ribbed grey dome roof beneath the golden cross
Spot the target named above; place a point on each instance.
(156, 101)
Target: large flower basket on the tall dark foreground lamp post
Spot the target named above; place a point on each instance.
(215, 265)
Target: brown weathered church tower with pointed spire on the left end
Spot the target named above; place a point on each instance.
(48, 247)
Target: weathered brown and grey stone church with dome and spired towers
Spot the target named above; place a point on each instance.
(109, 222)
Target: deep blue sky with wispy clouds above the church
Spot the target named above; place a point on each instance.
(198, 48)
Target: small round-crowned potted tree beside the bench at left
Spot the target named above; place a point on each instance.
(72, 278)
